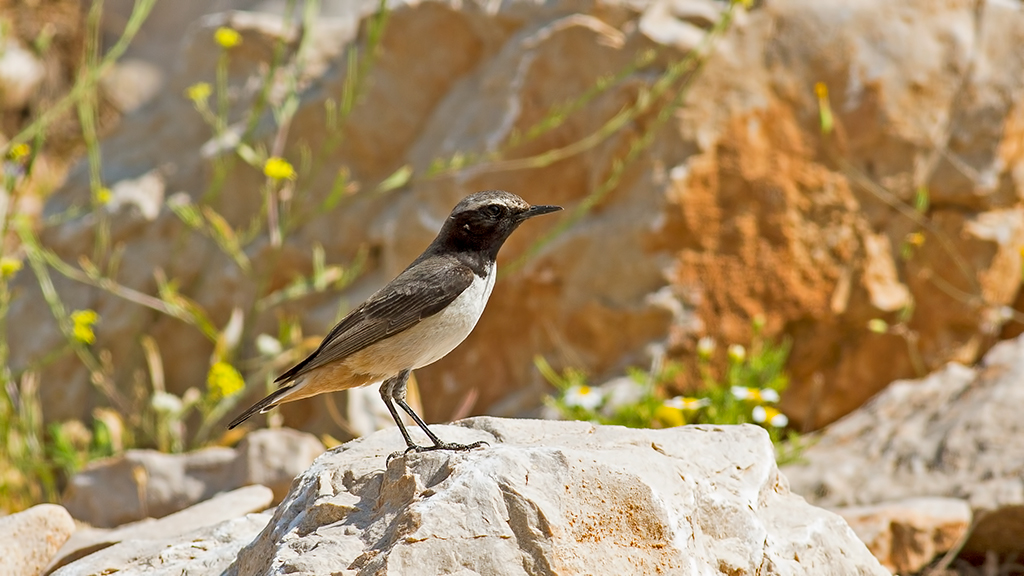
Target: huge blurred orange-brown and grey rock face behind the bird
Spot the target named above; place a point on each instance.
(742, 207)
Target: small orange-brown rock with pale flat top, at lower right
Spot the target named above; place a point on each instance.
(907, 536)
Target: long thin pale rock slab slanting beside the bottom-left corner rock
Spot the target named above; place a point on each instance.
(223, 508)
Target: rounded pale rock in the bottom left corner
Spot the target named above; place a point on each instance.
(29, 540)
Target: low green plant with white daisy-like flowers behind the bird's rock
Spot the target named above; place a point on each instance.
(745, 392)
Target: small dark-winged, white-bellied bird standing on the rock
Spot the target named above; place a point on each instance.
(416, 319)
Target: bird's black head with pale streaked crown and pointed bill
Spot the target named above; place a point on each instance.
(484, 221)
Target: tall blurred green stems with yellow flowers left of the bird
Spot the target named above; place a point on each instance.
(36, 460)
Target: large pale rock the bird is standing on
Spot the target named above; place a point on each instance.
(552, 498)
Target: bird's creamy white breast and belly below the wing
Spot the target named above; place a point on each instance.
(430, 341)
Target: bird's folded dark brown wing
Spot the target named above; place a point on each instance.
(417, 294)
